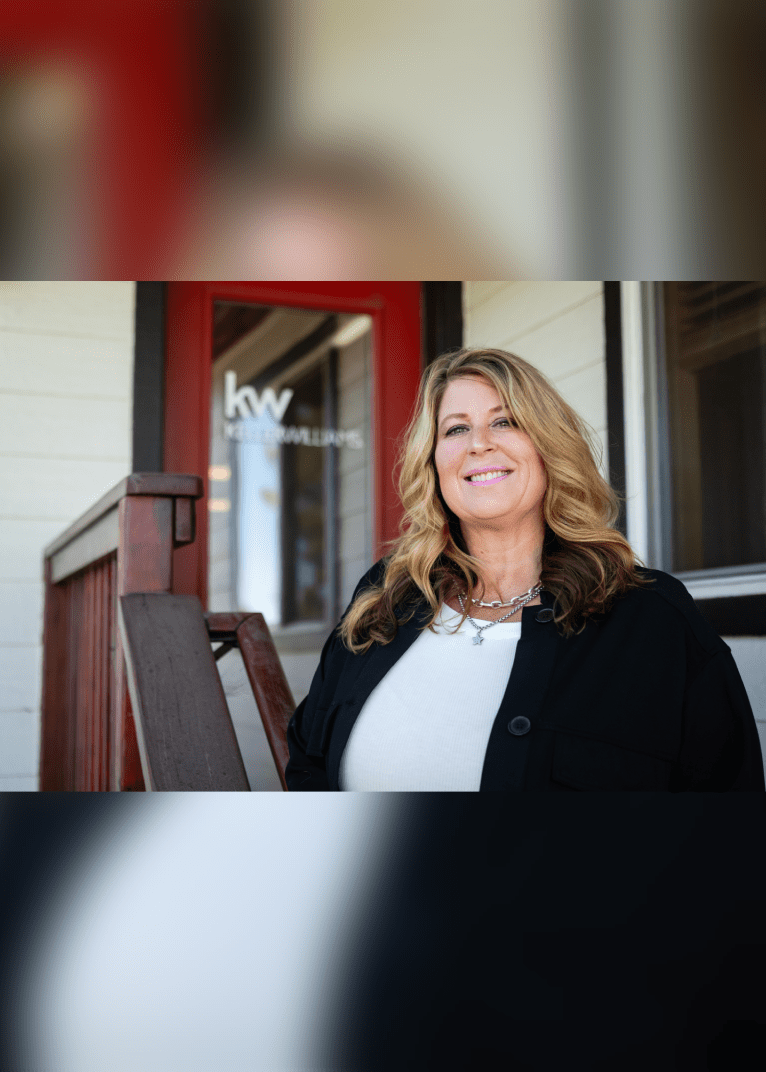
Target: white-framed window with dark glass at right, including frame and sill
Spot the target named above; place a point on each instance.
(693, 365)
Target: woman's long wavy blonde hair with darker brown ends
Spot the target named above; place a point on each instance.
(587, 563)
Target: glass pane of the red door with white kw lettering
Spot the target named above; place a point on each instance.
(290, 505)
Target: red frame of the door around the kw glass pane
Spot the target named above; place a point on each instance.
(396, 309)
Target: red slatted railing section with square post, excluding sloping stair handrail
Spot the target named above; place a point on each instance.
(125, 544)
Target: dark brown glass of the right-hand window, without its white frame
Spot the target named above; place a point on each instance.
(714, 375)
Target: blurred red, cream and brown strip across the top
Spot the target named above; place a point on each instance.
(502, 139)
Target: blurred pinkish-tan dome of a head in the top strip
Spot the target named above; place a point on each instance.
(335, 215)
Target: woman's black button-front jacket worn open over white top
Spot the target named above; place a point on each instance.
(648, 697)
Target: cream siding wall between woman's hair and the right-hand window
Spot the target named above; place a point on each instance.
(559, 327)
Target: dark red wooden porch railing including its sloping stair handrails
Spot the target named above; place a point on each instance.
(132, 697)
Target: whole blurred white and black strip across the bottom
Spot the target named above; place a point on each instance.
(422, 932)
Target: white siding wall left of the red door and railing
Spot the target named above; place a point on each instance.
(66, 414)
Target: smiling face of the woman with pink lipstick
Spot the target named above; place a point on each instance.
(489, 470)
